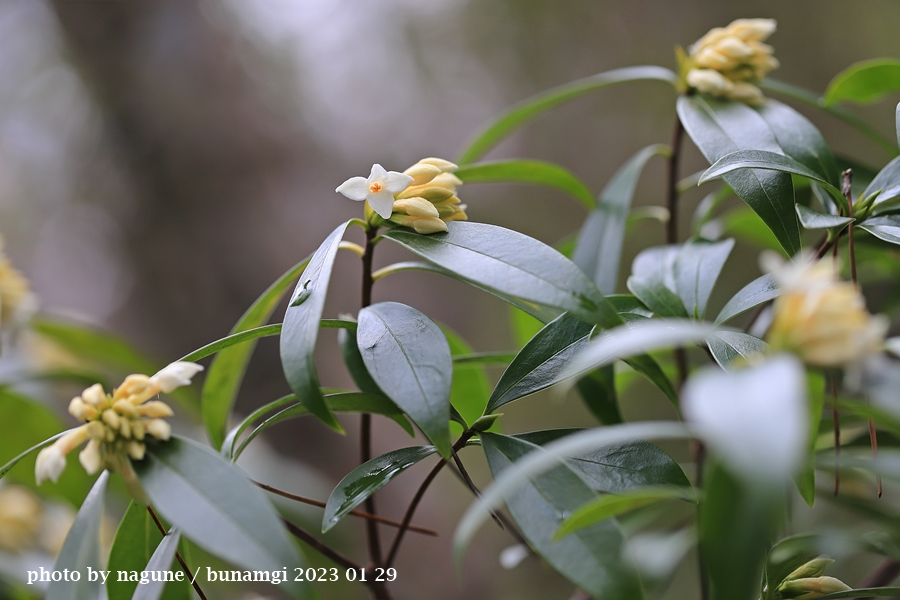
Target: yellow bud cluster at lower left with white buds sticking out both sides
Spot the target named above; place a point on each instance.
(116, 424)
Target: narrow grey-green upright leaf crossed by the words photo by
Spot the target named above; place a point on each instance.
(81, 550)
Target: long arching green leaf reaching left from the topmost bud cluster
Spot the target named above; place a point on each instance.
(528, 109)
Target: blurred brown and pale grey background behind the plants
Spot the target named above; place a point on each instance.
(162, 161)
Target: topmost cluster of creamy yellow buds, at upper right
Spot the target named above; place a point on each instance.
(728, 61)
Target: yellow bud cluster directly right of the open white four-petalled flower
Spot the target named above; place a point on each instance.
(429, 202)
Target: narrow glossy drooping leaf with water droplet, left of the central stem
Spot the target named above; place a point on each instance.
(301, 328)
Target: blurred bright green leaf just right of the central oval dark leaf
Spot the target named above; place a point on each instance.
(470, 389)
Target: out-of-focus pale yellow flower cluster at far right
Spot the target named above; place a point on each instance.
(819, 317)
